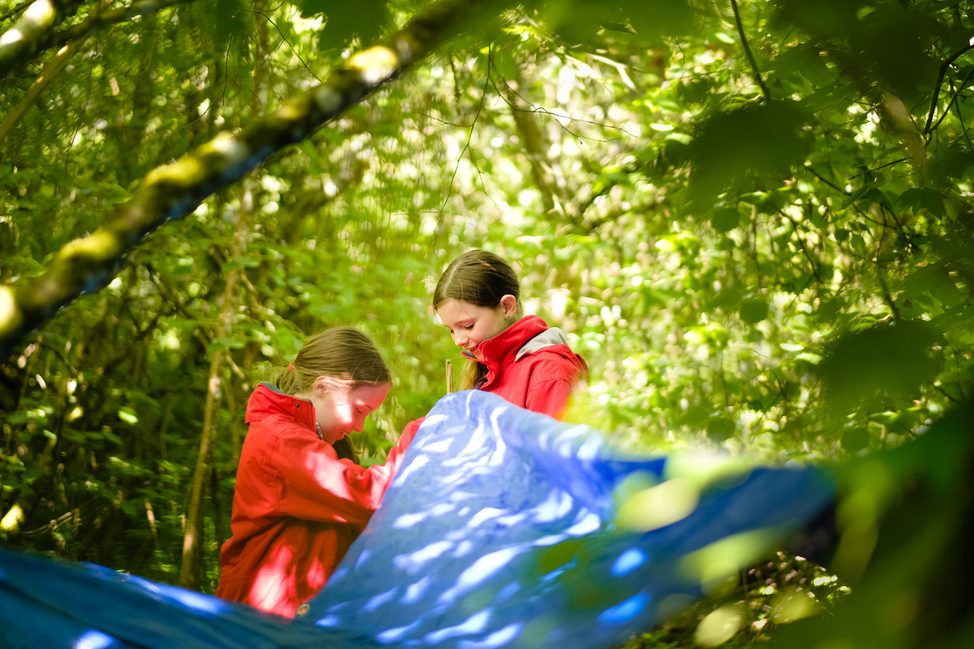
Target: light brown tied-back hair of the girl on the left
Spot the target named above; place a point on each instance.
(340, 352)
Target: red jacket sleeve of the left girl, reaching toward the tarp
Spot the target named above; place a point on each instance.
(314, 484)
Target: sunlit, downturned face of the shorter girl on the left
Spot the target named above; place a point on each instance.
(341, 408)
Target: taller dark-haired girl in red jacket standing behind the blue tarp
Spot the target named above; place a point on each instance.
(519, 358)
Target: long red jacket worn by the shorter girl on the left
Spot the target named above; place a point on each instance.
(296, 507)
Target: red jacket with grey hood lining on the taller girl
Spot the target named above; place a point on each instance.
(531, 365)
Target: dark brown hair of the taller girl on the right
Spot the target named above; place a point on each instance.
(481, 278)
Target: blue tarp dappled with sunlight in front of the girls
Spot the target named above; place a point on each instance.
(503, 528)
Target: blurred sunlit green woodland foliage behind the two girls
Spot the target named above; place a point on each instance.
(766, 250)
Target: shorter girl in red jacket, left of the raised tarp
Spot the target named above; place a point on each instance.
(297, 506)
